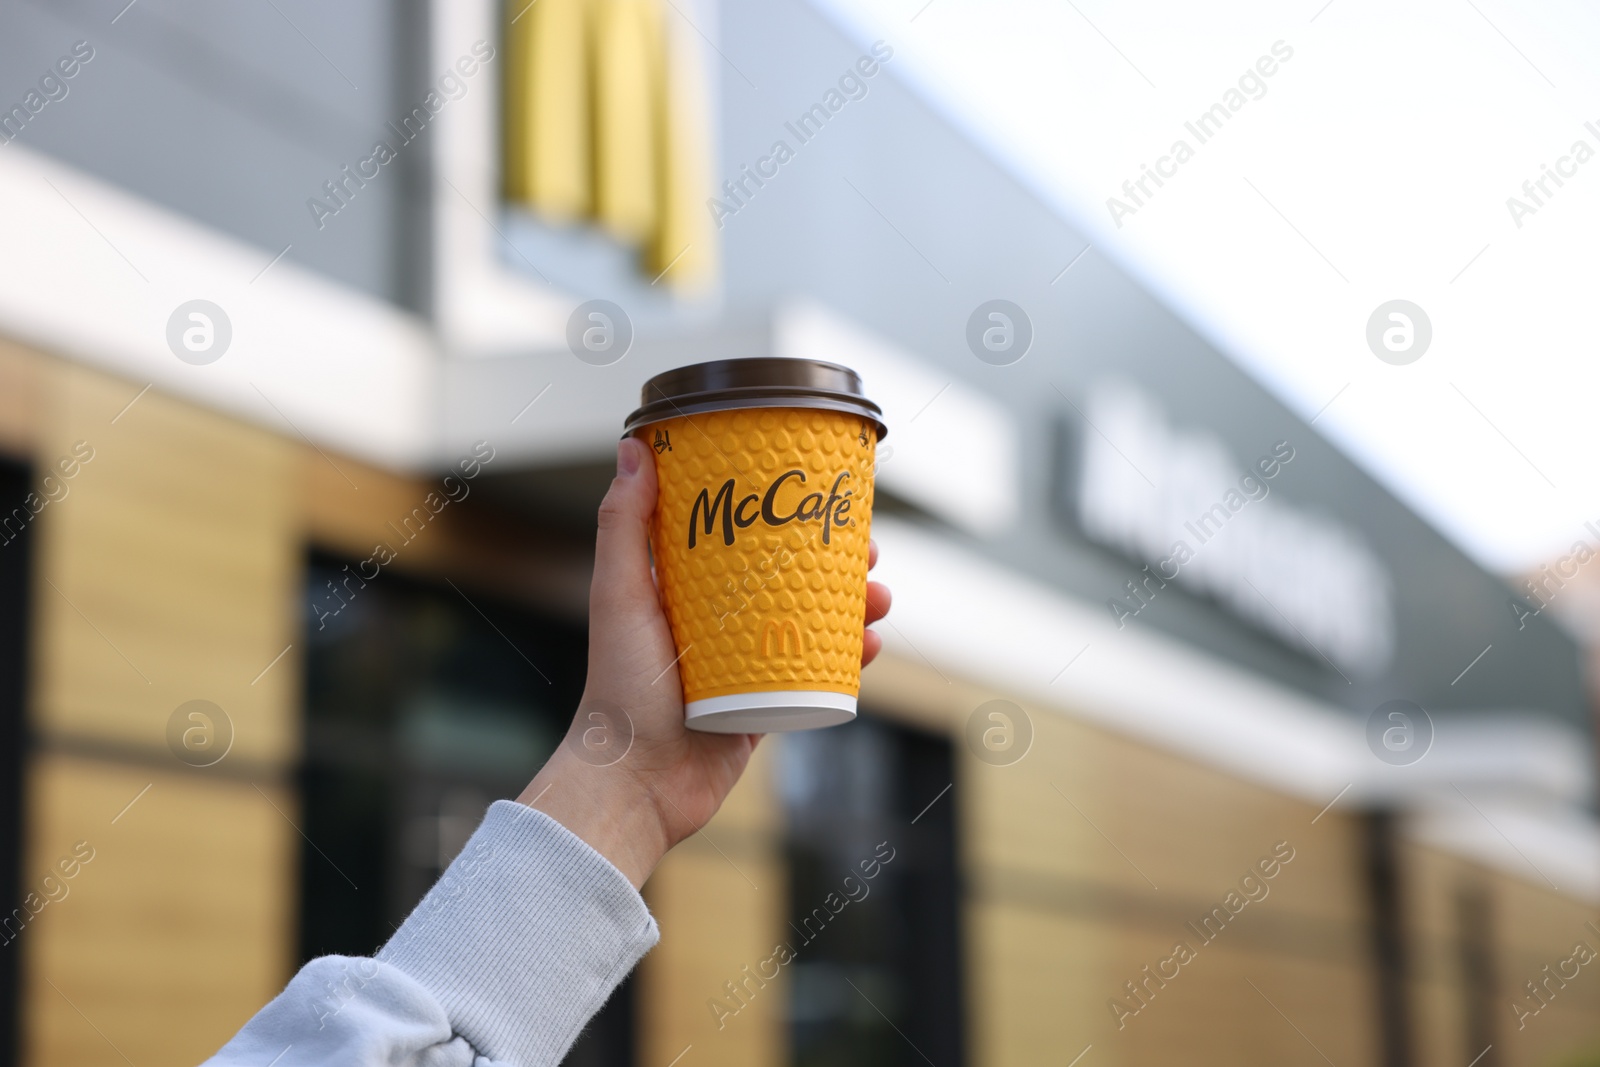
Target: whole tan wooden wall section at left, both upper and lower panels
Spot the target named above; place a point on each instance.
(167, 570)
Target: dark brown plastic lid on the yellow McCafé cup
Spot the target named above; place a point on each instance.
(756, 383)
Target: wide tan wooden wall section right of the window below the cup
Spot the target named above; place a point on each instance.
(1087, 858)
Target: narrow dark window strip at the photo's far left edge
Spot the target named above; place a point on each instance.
(15, 548)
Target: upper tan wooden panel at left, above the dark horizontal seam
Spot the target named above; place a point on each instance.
(167, 573)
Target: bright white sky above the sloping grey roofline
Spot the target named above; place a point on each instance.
(1374, 166)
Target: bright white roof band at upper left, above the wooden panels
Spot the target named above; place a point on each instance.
(94, 273)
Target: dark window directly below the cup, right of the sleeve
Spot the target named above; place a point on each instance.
(876, 972)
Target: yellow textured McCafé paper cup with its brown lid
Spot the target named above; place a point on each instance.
(761, 537)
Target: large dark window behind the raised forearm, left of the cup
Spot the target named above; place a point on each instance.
(422, 709)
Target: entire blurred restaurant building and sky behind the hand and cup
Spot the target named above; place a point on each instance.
(1238, 705)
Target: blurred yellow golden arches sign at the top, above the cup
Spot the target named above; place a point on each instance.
(607, 121)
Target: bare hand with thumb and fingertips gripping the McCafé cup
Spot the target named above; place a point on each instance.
(631, 780)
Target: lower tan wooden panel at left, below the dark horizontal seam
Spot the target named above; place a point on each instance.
(175, 933)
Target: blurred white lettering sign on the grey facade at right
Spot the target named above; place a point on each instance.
(1178, 502)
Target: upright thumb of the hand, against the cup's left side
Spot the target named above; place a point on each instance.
(622, 580)
